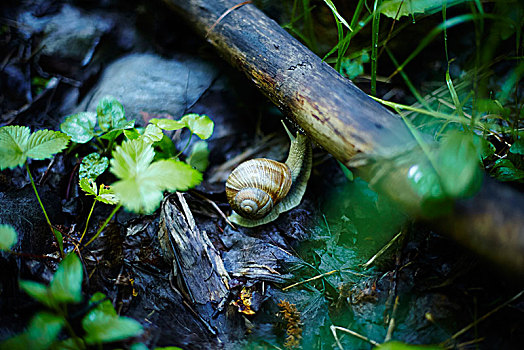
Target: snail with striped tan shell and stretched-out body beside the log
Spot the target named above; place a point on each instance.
(260, 189)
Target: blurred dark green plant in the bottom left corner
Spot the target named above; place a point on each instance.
(100, 323)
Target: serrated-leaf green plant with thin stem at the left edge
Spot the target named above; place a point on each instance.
(18, 144)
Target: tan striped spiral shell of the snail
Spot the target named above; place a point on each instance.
(257, 185)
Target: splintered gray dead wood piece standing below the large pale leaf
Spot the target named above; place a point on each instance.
(196, 262)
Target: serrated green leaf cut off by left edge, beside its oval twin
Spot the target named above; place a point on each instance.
(13, 144)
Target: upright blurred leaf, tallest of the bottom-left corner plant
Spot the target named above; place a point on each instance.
(66, 285)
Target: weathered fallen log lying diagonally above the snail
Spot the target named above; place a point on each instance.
(355, 129)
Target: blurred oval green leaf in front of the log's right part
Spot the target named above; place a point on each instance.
(458, 165)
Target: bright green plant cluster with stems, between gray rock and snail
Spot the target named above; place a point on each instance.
(146, 163)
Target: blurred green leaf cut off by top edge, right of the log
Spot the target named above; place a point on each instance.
(390, 8)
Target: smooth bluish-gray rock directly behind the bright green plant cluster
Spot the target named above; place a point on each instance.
(152, 84)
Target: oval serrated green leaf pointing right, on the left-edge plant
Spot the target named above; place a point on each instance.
(44, 144)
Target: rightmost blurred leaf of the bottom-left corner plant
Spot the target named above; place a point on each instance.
(102, 327)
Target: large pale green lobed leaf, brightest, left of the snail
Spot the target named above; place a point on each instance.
(142, 182)
